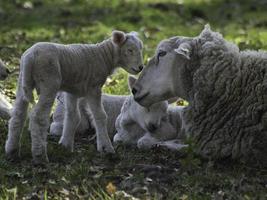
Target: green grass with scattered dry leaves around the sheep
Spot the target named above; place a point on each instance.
(153, 174)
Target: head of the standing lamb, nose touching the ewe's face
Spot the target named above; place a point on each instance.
(130, 51)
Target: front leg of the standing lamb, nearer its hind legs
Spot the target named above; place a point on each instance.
(71, 121)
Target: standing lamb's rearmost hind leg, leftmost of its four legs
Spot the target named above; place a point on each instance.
(16, 124)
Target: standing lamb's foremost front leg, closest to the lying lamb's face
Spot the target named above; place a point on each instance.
(100, 123)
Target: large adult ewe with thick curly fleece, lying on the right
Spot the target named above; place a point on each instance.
(225, 88)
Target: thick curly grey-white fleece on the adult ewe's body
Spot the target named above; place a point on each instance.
(227, 112)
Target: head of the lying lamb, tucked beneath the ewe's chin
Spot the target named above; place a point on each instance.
(148, 118)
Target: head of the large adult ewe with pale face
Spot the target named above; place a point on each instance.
(171, 70)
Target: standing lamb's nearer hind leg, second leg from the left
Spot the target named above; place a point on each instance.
(39, 123)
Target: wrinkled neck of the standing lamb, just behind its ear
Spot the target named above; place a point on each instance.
(108, 53)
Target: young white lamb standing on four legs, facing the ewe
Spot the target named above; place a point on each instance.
(78, 69)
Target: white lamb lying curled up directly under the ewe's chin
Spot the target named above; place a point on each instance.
(159, 124)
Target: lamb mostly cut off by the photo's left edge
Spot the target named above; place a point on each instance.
(5, 106)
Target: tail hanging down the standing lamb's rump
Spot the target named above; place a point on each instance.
(27, 82)
